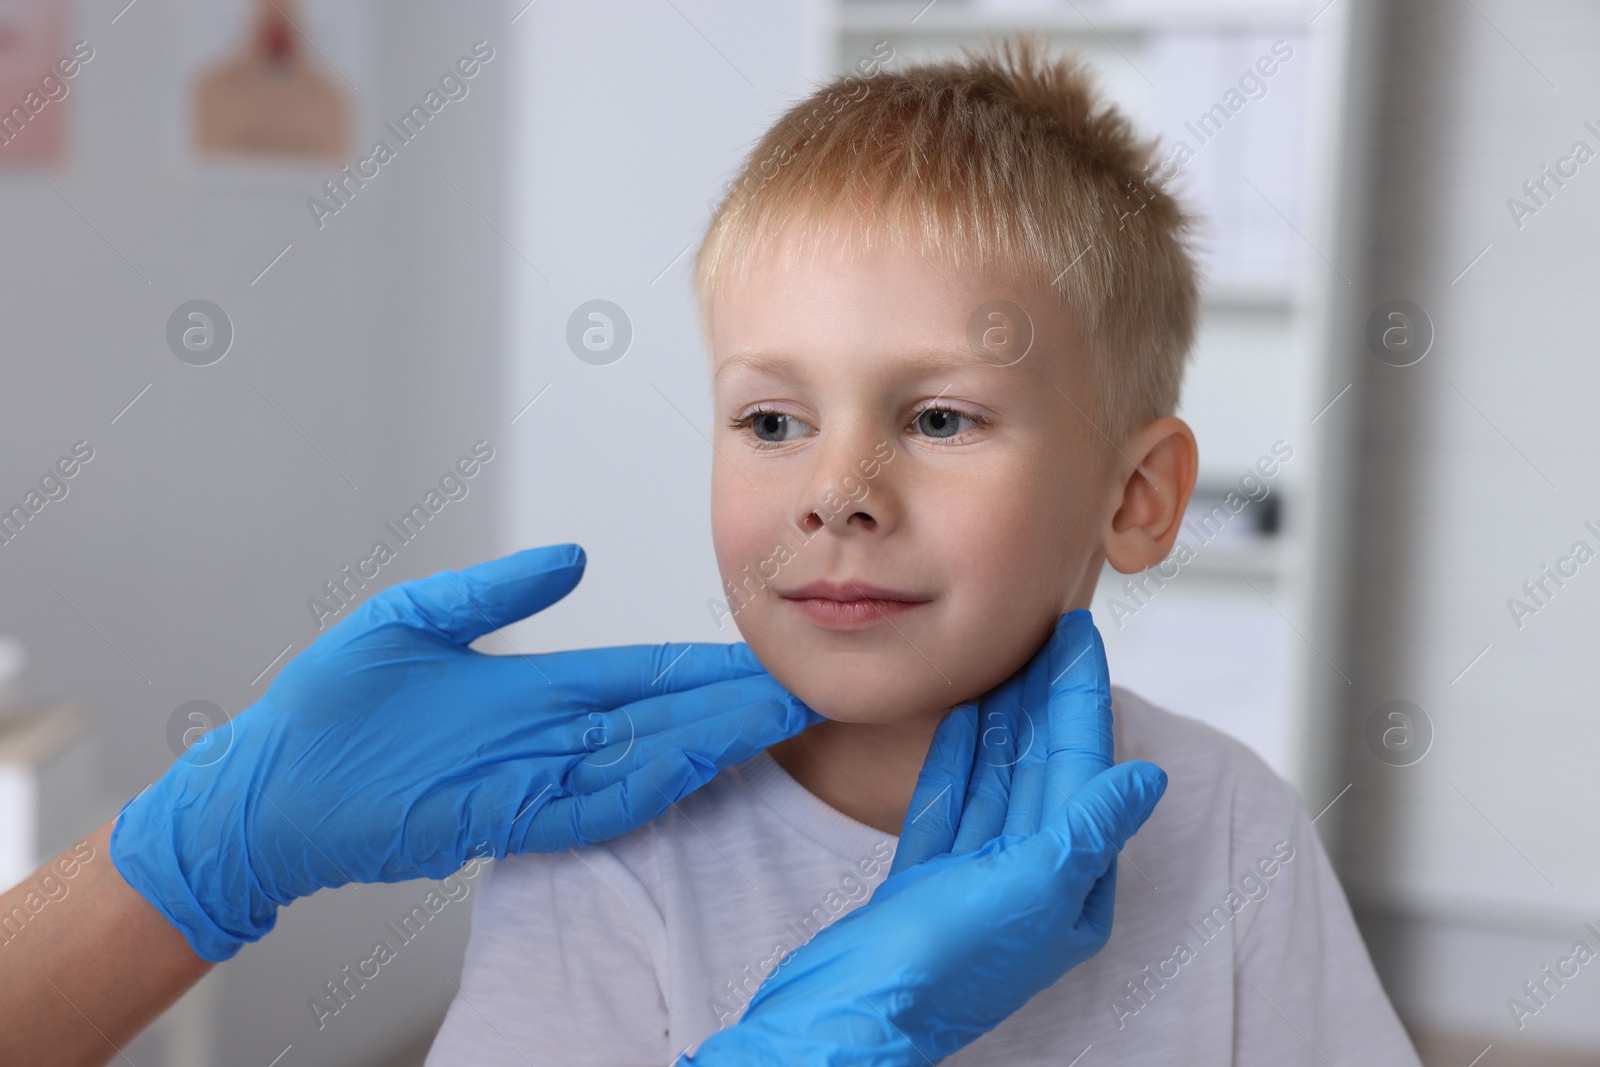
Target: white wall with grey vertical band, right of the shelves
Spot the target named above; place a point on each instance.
(1478, 866)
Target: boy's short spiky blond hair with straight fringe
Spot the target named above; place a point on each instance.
(1006, 161)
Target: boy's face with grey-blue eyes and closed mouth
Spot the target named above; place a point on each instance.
(919, 516)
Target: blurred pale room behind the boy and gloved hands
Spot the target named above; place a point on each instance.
(257, 342)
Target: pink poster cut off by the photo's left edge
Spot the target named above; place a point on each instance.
(38, 66)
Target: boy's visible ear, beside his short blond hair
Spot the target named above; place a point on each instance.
(1154, 478)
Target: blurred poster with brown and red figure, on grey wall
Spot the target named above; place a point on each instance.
(268, 92)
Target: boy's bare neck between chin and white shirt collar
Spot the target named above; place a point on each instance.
(865, 770)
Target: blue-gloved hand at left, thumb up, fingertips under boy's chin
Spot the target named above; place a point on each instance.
(391, 751)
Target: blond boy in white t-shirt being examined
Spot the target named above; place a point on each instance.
(948, 329)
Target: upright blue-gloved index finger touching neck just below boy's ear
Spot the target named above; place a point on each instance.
(1079, 698)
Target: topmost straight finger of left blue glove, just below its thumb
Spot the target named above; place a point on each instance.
(612, 677)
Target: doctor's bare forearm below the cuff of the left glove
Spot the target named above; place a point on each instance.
(86, 962)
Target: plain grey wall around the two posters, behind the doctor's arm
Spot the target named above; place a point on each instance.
(206, 522)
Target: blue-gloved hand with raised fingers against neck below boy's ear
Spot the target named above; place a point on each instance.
(953, 946)
